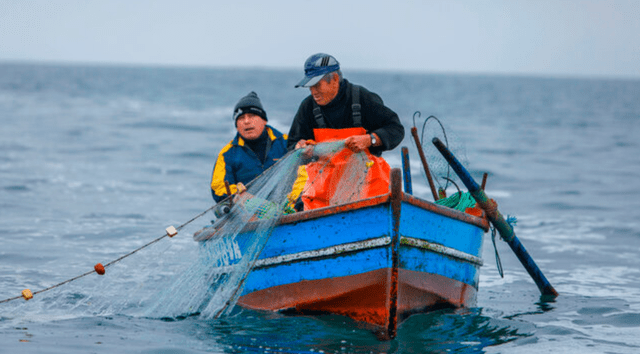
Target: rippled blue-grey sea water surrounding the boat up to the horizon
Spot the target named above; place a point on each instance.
(97, 161)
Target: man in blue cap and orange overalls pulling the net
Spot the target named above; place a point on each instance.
(338, 109)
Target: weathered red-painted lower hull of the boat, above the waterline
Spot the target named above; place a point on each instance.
(363, 296)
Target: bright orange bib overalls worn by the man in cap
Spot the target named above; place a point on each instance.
(325, 174)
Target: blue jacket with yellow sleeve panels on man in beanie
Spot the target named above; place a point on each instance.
(238, 163)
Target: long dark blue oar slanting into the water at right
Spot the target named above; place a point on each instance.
(498, 221)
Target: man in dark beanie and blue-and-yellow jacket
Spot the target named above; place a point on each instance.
(256, 147)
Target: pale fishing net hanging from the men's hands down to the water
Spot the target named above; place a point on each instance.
(213, 283)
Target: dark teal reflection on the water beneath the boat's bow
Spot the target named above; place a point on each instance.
(444, 331)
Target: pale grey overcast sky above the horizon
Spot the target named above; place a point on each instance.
(538, 37)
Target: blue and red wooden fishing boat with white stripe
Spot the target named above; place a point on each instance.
(377, 260)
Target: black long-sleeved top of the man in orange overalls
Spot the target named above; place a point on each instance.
(376, 118)
